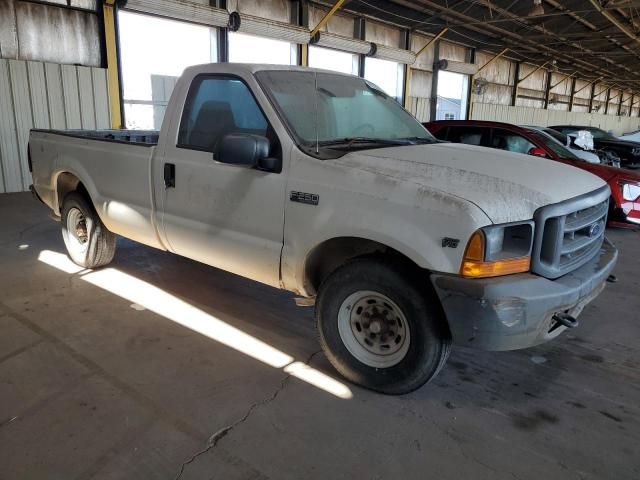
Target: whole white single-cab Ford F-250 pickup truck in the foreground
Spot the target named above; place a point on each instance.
(319, 183)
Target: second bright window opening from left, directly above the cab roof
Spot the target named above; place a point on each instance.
(245, 48)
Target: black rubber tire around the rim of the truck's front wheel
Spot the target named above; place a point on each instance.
(430, 341)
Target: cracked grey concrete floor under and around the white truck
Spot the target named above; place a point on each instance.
(93, 385)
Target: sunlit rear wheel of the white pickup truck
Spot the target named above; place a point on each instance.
(97, 245)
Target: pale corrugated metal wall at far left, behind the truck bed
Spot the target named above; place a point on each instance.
(44, 95)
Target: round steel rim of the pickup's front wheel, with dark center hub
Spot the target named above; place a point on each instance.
(373, 329)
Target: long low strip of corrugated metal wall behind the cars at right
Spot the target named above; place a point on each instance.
(543, 118)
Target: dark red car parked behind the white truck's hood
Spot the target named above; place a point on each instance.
(624, 184)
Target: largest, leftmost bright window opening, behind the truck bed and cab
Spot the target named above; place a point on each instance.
(154, 52)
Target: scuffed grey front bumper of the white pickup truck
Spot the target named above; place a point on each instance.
(516, 311)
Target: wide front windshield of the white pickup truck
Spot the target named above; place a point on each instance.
(339, 111)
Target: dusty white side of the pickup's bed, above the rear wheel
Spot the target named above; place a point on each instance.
(114, 166)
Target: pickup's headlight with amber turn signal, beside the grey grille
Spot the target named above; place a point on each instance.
(498, 250)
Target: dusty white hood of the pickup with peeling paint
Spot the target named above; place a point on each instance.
(507, 186)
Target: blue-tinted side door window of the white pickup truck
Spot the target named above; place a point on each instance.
(216, 107)
